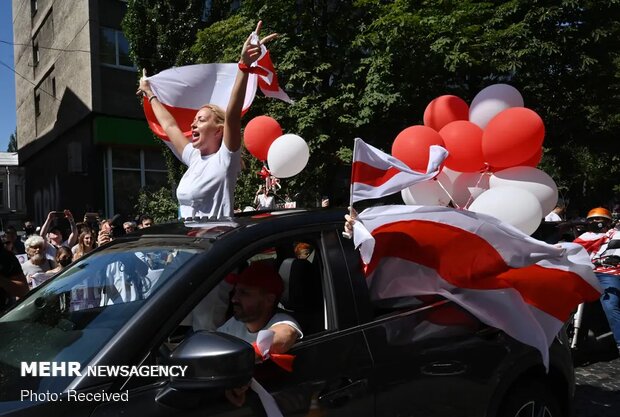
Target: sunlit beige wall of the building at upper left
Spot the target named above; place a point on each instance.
(63, 26)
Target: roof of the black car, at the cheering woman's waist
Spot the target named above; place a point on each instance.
(217, 228)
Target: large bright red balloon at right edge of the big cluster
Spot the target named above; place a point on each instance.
(512, 137)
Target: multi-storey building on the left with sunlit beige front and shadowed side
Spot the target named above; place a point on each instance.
(82, 137)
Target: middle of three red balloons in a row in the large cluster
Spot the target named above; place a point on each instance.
(463, 141)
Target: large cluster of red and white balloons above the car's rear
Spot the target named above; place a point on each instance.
(495, 144)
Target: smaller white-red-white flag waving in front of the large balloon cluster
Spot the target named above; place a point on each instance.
(375, 174)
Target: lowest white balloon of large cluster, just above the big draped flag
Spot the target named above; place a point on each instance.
(512, 205)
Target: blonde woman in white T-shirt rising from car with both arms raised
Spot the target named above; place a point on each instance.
(212, 154)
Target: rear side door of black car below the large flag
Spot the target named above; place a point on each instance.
(431, 357)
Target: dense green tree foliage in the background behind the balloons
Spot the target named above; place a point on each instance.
(368, 68)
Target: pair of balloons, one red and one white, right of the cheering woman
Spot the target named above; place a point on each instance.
(286, 154)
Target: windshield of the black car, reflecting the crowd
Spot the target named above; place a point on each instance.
(71, 317)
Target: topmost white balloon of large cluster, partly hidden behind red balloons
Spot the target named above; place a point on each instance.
(492, 100)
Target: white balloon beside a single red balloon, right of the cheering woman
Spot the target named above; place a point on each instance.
(287, 156)
